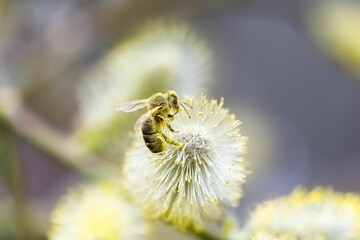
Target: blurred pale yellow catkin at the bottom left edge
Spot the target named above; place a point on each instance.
(97, 212)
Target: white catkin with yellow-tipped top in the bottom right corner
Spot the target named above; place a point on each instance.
(318, 214)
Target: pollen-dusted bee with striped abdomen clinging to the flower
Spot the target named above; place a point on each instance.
(162, 108)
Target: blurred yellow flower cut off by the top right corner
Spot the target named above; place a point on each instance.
(336, 27)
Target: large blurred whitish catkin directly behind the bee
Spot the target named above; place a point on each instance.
(163, 55)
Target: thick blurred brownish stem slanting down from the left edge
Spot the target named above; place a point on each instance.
(25, 124)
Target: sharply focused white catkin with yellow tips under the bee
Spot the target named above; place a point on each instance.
(190, 185)
